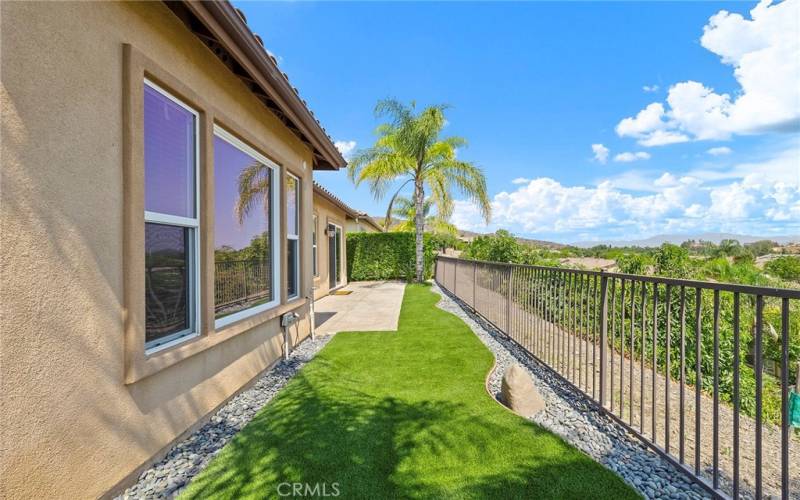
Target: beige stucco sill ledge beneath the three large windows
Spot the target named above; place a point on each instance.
(152, 361)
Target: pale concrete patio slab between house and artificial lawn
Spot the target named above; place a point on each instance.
(372, 306)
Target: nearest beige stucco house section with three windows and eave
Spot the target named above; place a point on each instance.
(157, 214)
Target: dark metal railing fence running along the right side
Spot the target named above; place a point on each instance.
(680, 363)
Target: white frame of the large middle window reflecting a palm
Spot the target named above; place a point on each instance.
(275, 229)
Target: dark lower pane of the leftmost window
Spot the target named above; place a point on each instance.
(166, 281)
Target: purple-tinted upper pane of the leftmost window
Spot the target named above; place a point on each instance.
(169, 155)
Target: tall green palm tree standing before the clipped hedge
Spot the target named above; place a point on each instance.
(409, 149)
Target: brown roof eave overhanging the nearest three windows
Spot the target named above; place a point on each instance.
(223, 29)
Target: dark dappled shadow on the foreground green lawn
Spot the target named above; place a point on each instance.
(311, 434)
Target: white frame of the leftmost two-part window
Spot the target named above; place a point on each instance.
(193, 254)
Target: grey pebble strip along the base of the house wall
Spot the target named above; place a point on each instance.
(167, 478)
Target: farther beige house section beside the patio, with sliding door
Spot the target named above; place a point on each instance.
(332, 220)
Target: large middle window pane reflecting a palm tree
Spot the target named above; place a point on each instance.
(242, 234)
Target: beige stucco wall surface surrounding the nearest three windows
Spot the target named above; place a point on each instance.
(71, 427)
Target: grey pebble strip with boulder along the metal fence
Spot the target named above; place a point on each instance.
(574, 417)
